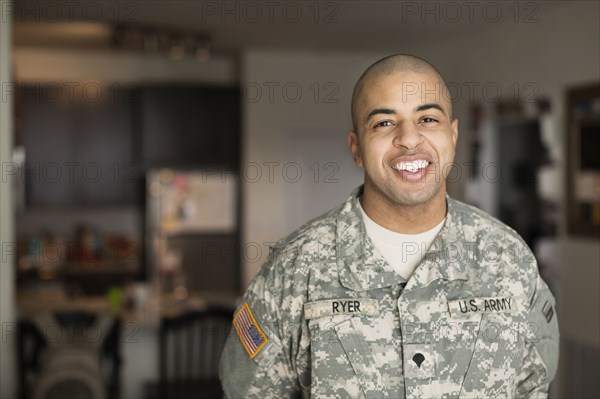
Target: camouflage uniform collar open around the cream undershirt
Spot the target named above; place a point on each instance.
(361, 268)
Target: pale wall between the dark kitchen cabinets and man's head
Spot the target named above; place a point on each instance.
(310, 96)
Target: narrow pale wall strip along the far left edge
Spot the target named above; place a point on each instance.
(7, 301)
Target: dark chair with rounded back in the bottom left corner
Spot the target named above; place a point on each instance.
(69, 353)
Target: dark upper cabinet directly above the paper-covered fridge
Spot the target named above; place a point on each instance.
(190, 126)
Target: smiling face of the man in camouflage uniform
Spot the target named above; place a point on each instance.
(405, 138)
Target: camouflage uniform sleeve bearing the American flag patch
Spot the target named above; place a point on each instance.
(254, 362)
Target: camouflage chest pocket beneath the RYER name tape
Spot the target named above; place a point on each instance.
(343, 365)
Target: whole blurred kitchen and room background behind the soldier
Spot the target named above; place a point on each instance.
(152, 151)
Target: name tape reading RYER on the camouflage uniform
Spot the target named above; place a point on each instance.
(331, 307)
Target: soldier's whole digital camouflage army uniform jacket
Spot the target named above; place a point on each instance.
(327, 316)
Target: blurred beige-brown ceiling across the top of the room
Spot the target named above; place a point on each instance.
(235, 25)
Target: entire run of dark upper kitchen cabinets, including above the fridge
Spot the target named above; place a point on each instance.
(82, 153)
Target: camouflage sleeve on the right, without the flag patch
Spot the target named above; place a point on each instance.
(541, 344)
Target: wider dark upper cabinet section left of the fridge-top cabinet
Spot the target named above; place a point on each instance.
(79, 153)
